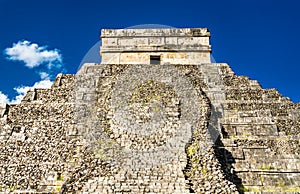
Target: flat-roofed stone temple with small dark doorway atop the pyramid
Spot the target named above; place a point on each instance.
(155, 46)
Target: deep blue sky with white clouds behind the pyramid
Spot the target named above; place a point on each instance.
(257, 38)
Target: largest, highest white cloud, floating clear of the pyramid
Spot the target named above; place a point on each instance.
(33, 55)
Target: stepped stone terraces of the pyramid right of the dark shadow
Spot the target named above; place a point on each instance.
(263, 145)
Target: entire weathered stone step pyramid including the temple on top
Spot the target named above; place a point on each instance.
(156, 116)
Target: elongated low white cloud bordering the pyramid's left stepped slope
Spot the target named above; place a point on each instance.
(22, 90)
